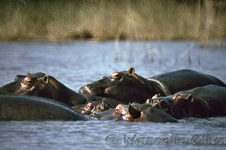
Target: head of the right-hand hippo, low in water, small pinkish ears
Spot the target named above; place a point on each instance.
(178, 106)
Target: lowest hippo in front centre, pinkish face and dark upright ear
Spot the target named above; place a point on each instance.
(134, 112)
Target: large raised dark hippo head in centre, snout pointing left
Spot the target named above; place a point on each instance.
(125, 86)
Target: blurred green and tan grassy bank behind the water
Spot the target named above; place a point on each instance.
(59, 20)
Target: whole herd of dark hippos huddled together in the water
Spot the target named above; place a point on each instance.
(123, 96)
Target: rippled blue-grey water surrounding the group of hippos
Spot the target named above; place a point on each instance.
(78, 63)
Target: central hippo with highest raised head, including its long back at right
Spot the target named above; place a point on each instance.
(127, 86)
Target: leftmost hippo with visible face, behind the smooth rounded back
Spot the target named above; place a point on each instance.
(42, 85)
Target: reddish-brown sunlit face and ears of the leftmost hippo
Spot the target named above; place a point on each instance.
(32, 84)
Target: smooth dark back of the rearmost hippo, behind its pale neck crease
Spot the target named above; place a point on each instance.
(176, 81)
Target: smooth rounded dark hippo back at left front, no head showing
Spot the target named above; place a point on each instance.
(17, 107)
